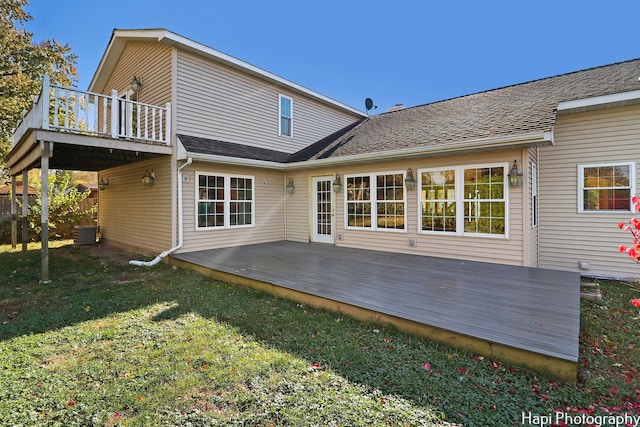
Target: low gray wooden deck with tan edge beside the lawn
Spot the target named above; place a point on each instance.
(522, 315)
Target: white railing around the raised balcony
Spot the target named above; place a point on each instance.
(67, 109)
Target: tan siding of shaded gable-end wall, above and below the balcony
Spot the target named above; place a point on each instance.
(130, 214)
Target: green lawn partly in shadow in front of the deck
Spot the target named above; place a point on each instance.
(110, 344)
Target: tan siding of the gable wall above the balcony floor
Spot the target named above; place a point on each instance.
(146, 60)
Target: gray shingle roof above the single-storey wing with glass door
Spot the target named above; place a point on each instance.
(512, 110)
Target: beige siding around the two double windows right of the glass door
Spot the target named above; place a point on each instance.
(489, 249)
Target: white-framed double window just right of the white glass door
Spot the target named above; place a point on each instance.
(376, 201)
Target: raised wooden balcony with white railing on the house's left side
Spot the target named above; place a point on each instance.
(91, 131)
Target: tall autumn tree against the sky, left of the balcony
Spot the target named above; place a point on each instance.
(22, 66)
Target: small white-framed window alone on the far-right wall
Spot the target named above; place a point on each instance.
(606, 187)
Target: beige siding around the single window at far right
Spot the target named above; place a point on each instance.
(566, 236)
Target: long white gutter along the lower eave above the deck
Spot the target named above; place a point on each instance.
(502, 142)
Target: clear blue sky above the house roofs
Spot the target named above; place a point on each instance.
(403, 51)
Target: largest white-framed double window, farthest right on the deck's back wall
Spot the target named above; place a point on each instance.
(464, 200)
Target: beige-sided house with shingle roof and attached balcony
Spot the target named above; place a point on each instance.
(207, 151)
